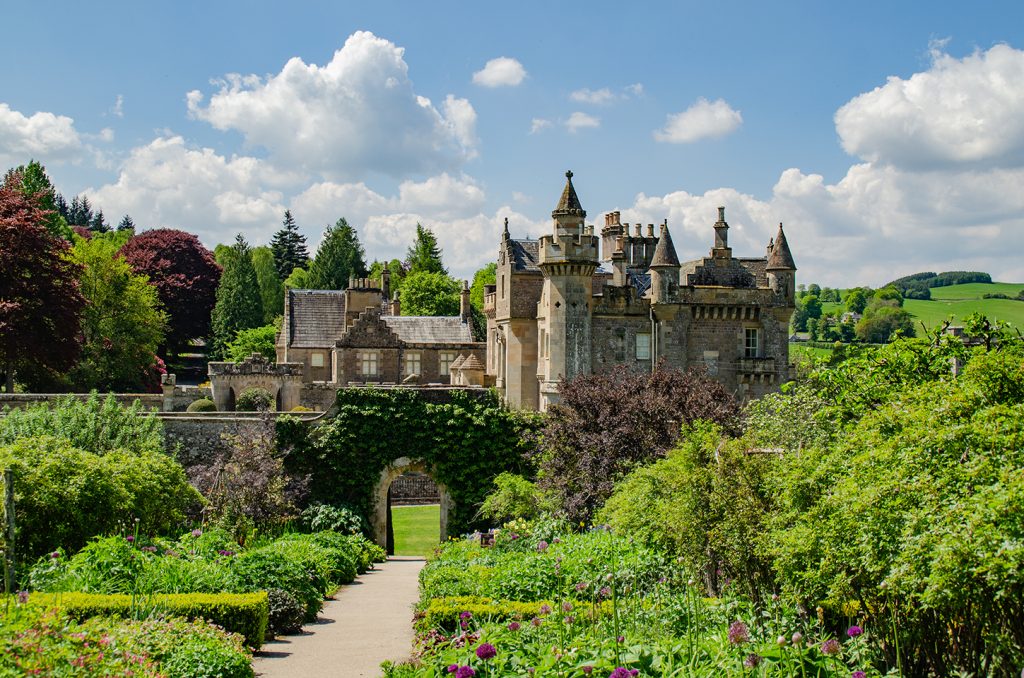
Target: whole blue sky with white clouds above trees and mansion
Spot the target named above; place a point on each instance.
(888, 138)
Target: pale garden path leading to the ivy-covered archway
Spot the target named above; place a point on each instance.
(367, 623)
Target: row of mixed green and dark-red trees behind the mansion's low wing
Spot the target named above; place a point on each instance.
(87, 307)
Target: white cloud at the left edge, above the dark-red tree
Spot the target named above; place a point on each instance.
(42, 136)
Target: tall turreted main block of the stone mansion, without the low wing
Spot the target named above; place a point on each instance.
(556, 313)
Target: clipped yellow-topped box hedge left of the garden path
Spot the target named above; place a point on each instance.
(245, 614)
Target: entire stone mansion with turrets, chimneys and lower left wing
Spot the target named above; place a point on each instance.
(572, 303)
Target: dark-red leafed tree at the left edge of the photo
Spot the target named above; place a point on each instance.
(40, 300)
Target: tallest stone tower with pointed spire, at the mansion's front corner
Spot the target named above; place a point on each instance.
(568, 261)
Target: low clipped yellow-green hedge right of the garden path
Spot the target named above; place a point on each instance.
(444, 613)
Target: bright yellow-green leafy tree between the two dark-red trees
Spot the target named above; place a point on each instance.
(123, 324)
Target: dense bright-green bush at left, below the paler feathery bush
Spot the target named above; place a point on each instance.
(64, 495)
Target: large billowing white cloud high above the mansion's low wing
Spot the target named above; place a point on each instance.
(355, 115)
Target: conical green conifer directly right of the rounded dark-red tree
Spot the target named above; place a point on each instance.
(239, 306)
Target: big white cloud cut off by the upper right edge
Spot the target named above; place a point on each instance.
(957, 112)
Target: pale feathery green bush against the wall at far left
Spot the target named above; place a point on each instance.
(95, 426)
